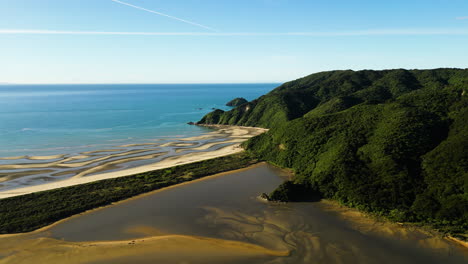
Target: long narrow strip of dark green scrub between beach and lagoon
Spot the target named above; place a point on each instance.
(29, 212)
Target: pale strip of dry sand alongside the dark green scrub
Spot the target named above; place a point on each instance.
(234, 134)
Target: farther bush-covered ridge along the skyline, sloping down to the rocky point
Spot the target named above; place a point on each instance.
(338, 90)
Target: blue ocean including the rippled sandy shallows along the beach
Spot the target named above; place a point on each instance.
(56, 132)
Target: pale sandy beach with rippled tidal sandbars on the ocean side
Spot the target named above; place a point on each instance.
(224, 140)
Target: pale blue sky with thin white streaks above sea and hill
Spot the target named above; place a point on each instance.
(217, 41)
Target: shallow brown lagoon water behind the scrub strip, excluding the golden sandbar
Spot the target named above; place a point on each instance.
(227, 208)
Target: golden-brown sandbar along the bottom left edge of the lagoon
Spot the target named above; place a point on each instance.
(159, 249)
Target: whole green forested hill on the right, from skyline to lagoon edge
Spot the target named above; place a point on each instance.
(393, 142)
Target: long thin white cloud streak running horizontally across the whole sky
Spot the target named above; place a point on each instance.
(375, 32)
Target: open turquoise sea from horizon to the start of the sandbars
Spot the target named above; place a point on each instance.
(40, 120)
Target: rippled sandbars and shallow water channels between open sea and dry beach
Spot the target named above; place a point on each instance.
(26, 171)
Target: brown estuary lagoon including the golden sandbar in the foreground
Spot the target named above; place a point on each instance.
(221, 220)
